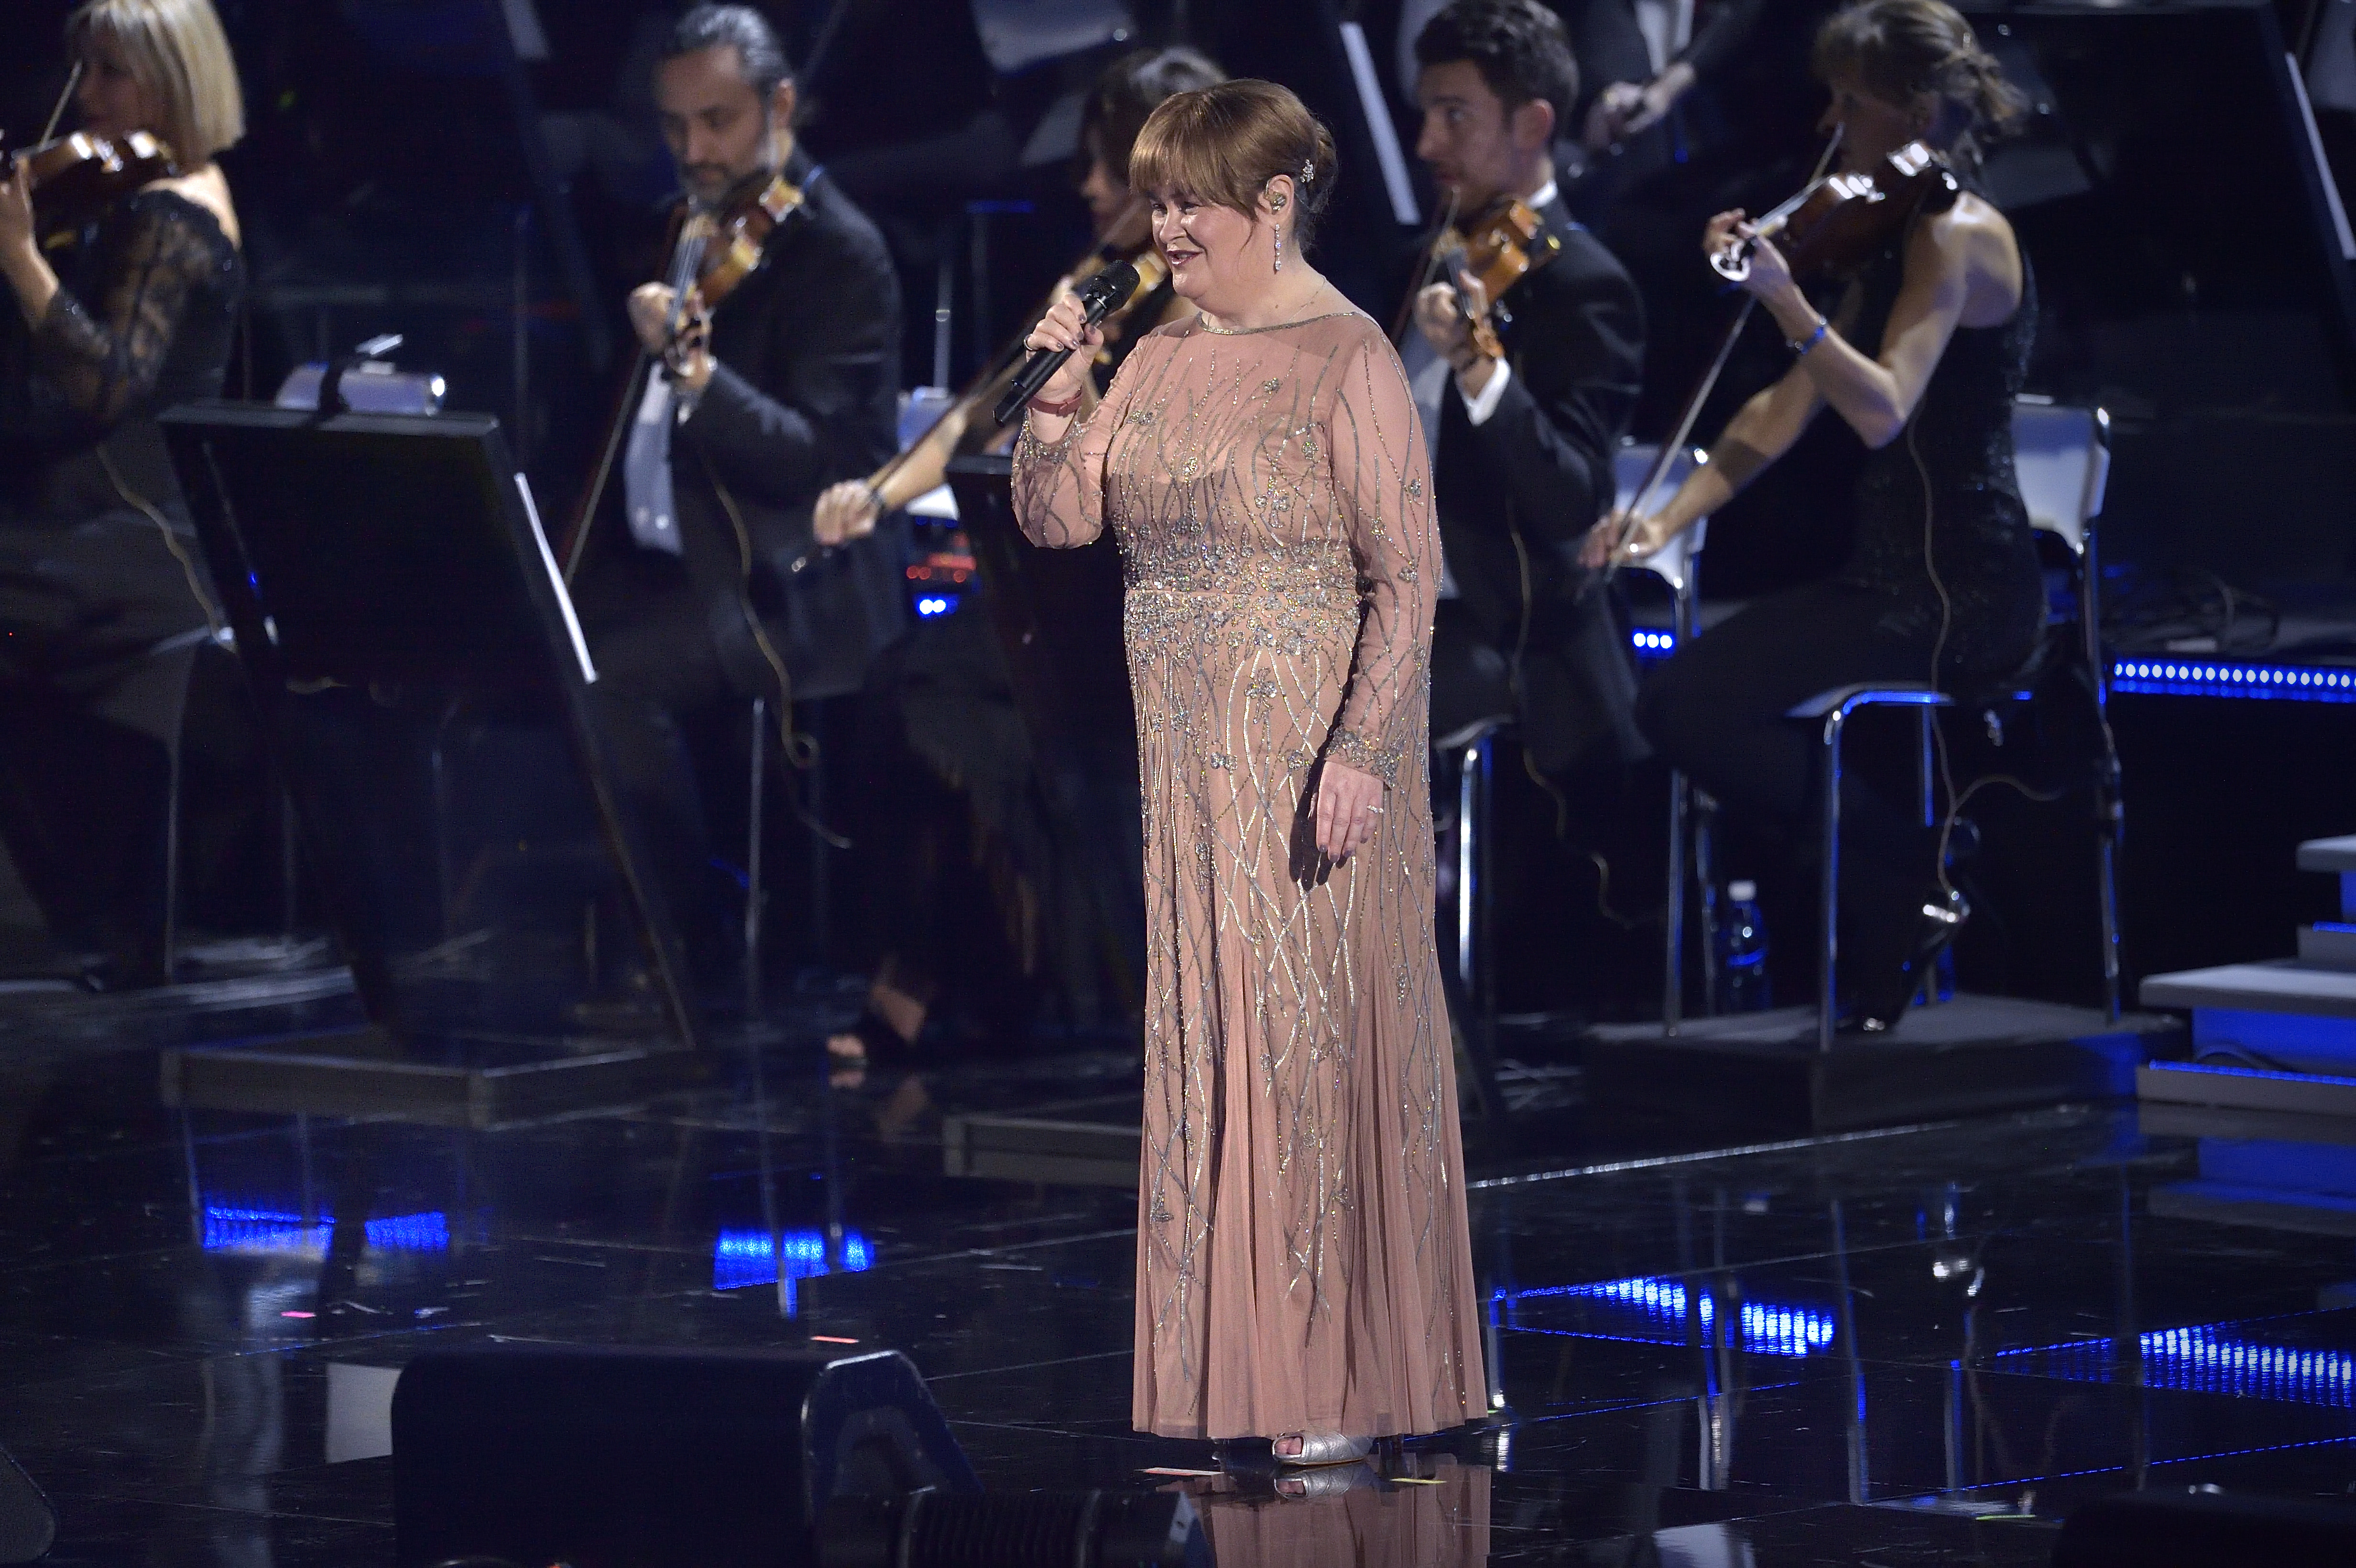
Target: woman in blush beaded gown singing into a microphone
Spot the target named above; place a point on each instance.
(1304, 1268)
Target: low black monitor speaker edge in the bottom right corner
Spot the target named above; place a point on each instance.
(2206, 1532)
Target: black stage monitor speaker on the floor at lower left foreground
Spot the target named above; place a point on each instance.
(654, 1459)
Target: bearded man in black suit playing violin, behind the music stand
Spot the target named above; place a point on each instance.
(717, 590)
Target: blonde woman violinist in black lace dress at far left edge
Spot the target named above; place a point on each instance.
(102, 599)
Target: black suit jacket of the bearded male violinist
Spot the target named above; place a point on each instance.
(805, 394)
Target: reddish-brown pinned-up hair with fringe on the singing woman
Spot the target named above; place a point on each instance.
(1222, 145)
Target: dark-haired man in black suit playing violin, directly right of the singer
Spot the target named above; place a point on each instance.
(1526, 441)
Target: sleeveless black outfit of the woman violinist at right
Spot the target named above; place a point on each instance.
(1959, 587)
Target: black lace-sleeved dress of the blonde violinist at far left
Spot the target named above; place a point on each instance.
(102, 594)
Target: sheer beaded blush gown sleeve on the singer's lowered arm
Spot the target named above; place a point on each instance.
(1384, 489)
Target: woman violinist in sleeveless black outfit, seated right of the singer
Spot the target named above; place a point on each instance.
(1921, 359)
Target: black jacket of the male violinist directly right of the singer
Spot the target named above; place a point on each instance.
(1521, 491)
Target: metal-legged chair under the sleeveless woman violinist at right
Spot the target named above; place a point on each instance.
(2065, 463)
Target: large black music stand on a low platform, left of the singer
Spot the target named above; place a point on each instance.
(383, 573)
